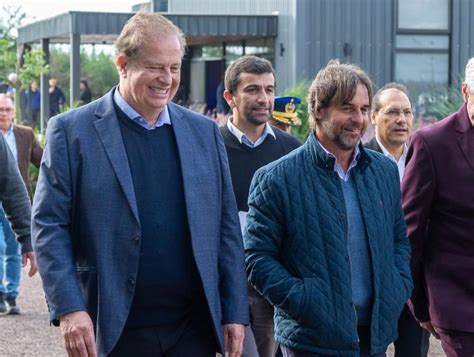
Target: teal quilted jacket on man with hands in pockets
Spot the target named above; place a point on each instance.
(296, 254)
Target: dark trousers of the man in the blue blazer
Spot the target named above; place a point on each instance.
(194, 337)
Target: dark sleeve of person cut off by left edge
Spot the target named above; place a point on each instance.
(14, 197)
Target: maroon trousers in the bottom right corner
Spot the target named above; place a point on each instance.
(457, 343)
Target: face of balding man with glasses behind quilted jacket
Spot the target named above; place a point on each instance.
(394, 120)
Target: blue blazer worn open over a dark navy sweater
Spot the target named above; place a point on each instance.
(85, 224)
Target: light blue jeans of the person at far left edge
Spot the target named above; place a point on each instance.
(10, 260)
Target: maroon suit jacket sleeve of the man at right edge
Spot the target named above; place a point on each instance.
(418, 187)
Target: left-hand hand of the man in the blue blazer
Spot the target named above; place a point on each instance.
(78, 333)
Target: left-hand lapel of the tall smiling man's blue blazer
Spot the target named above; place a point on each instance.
(108, 129)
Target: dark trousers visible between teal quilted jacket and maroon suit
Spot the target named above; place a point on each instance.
(412, 339)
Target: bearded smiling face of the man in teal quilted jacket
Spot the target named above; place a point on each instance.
(340, 127)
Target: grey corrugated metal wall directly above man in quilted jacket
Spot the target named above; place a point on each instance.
(326, 27)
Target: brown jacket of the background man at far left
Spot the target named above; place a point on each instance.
(29, 150)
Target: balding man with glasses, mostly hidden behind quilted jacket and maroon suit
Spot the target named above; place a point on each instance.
(392, 117)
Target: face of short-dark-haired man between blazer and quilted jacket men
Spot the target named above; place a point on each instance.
(252, 102)
